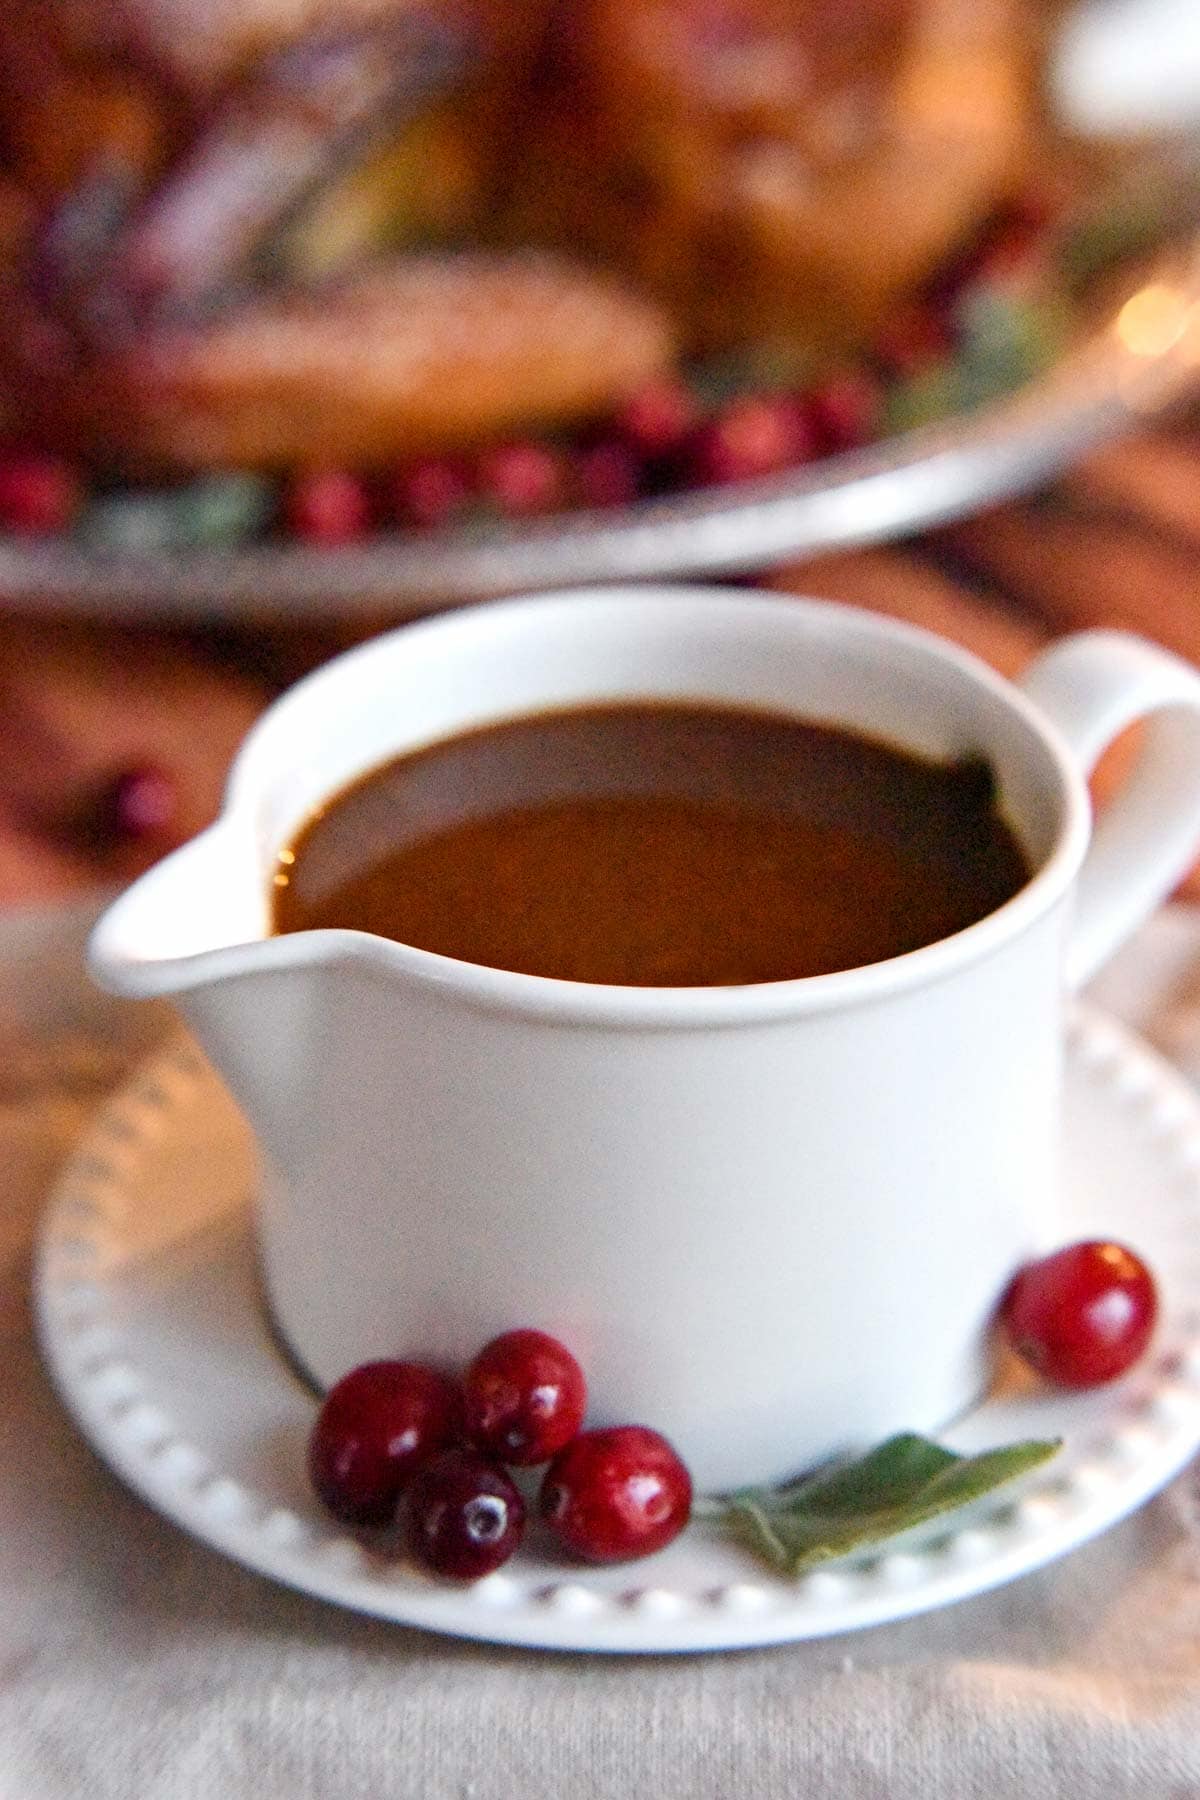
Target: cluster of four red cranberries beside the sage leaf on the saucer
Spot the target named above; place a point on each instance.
(404, 1450)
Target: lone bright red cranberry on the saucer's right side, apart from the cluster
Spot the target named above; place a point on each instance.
(1084, 1315)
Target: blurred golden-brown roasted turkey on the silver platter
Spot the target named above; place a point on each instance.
(276, 233)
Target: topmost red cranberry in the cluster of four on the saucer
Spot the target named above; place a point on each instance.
(524, 1398)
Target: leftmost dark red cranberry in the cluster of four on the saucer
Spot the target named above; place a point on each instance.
(377, 1426)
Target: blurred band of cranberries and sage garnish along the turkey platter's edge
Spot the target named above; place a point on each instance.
(715, 422)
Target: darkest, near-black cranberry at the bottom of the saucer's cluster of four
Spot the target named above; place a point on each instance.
(465, 1516)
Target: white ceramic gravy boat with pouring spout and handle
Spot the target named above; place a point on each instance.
(773, 1221)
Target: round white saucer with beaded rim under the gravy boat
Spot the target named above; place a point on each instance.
(152, 1327)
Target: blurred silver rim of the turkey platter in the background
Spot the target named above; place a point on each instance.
(1129, 364)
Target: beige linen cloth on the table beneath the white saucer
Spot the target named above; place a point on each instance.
(136, 1664)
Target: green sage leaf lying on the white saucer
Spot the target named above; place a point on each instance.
(900, 1484)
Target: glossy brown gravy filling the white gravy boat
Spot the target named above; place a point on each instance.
(658, 845)
